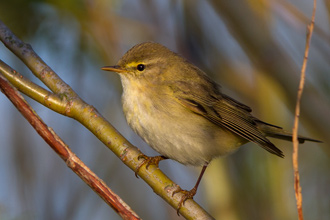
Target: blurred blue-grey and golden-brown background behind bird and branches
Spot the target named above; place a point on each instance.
(254, 49)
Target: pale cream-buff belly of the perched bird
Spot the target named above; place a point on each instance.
(179, 135)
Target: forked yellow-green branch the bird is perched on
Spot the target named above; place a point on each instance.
(65, 101)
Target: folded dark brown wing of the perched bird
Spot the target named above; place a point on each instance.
(228, 113)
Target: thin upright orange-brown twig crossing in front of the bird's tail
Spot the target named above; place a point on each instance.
(295, 141)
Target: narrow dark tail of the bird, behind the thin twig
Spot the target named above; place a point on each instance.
(277, 132)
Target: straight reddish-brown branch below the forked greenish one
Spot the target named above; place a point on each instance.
(72, 161)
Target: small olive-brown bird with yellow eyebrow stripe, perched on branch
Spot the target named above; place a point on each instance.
(182, 113)
